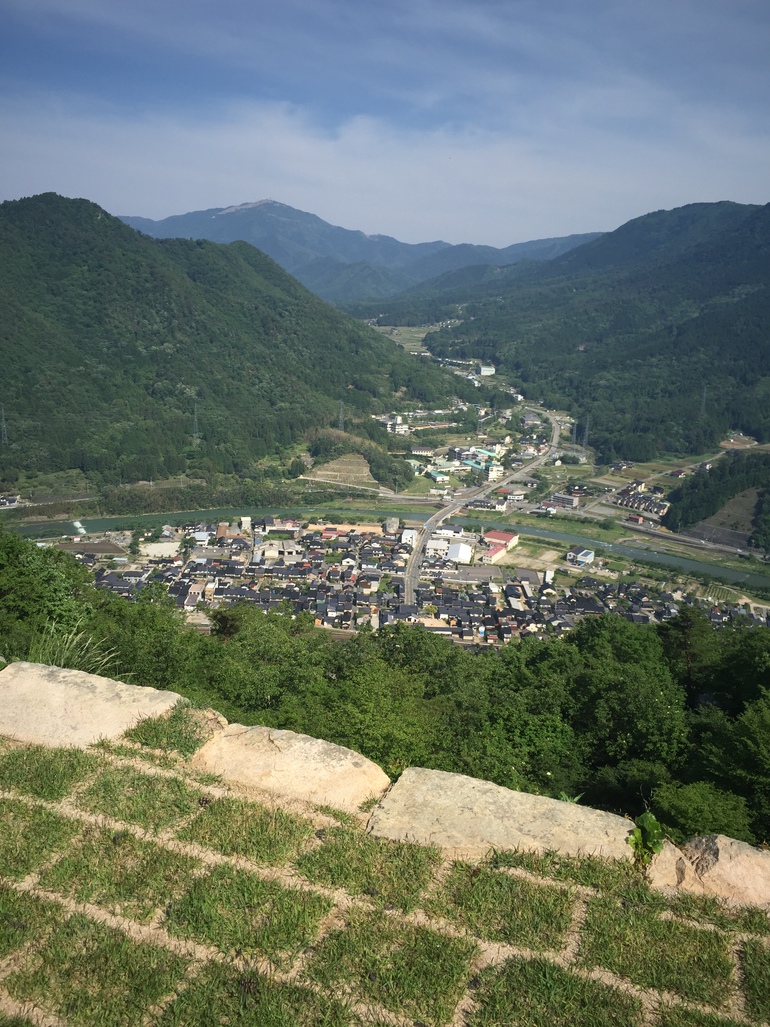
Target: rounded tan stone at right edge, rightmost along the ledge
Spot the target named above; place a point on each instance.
(730, 869)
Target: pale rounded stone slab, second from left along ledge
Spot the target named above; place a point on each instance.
(292, 767)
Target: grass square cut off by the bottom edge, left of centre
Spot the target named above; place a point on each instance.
(221, 995)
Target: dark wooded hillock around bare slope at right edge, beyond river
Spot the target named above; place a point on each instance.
(709, 490)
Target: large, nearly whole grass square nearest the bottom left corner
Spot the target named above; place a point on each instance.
(91, 974)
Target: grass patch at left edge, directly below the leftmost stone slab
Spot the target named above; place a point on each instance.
(47, 774)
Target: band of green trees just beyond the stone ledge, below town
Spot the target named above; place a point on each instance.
(673, 717)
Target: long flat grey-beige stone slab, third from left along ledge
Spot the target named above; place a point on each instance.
(470, 818)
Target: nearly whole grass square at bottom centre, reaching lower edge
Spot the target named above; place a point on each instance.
(409, 970)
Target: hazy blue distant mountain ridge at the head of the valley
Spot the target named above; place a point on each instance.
(339, 264)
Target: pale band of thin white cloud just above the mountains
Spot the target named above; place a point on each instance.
(465, 185)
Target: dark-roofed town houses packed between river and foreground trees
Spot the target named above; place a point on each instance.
(348, 578)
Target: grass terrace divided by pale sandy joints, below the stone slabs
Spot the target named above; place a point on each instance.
(134, 892)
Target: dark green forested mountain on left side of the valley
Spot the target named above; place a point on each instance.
(117, 347)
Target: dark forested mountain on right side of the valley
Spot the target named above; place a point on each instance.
(657, 336)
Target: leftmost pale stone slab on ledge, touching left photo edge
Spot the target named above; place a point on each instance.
(51, 706)
